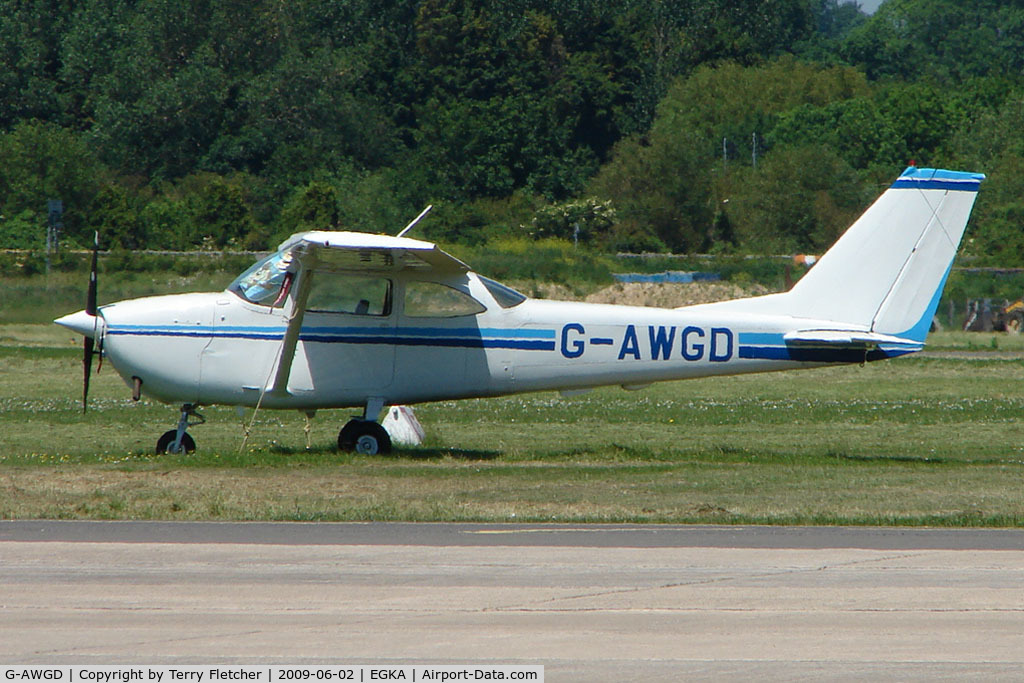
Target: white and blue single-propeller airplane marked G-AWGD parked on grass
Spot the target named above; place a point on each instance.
(344, 320)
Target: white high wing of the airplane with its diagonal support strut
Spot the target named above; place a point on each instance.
(357, 252)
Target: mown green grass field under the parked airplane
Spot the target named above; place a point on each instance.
(919, 441)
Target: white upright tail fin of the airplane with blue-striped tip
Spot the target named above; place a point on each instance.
(886, 274)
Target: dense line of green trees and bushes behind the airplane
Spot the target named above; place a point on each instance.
(679, 125)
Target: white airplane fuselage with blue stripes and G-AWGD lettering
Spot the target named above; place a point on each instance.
(187, 349)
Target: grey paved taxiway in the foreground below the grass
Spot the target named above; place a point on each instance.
(593, 603)
